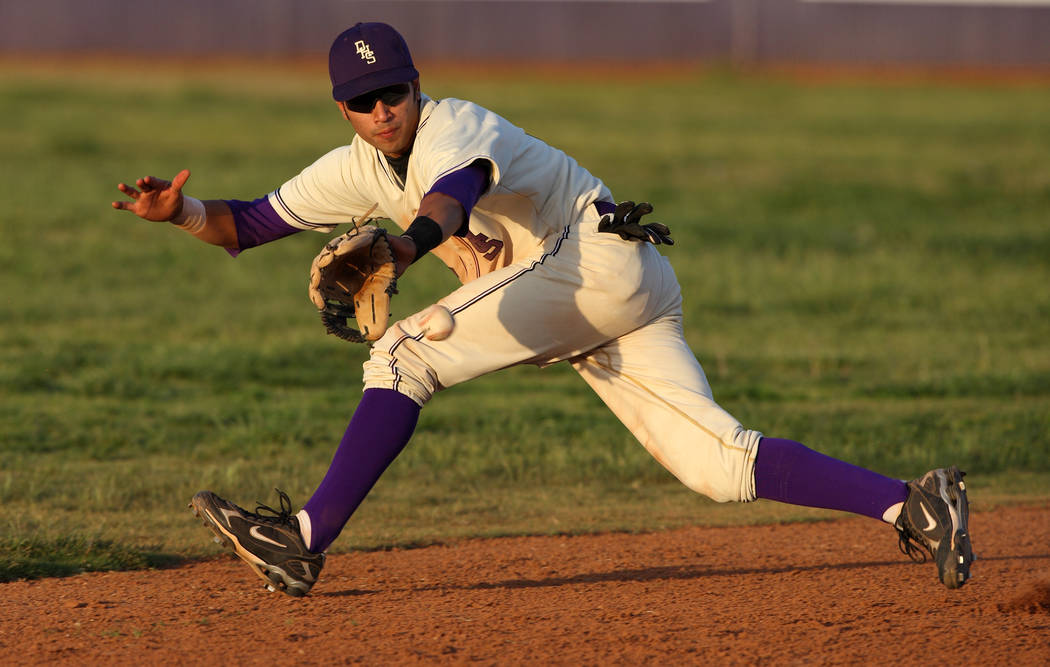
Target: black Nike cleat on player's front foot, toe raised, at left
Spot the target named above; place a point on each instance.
(272, 546)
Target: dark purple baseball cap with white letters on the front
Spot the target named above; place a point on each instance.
(369, 57)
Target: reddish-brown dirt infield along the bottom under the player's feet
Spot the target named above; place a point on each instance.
(828, 593)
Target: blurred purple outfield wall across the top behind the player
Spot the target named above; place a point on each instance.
(963, 33)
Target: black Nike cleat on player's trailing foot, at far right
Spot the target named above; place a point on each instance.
(935, 518)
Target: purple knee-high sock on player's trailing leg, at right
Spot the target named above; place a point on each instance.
(789, 472)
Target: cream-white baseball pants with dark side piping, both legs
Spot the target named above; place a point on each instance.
(614, 310)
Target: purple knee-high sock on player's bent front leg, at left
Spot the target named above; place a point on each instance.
(379, 431)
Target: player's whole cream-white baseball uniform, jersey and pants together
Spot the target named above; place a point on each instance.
(541, 285)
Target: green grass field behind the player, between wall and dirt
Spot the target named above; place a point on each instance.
(867, 269)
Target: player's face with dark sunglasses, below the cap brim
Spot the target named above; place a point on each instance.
(387, 118)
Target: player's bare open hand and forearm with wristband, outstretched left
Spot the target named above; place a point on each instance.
(160, 201)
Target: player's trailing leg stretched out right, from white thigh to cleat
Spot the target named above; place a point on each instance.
(653, 382)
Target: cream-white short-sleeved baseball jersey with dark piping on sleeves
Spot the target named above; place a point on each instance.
(535, 192)
